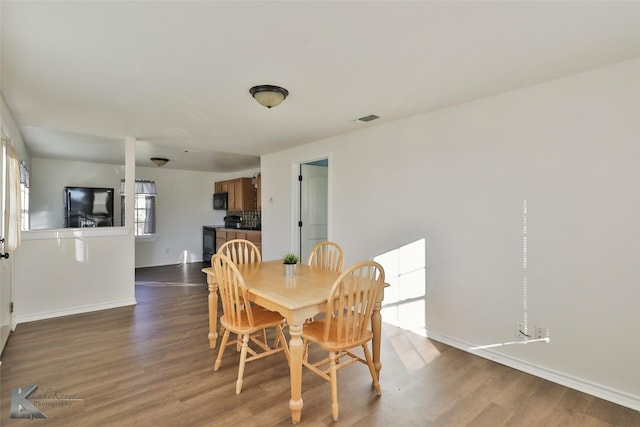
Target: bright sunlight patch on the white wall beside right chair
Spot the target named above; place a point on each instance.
(404, 302)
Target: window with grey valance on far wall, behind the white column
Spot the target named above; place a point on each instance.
(144, 215)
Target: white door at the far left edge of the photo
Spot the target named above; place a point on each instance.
(5, 264)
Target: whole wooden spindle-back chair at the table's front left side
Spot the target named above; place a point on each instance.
(243, 318)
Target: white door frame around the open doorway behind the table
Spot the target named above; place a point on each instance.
(296, 199)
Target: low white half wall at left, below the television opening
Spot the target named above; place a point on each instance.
(62, 272)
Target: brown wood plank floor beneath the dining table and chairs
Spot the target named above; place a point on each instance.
(151, 365)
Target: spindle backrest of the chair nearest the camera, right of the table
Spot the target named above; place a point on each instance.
(353, 297)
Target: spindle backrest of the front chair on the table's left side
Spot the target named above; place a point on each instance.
(233, 291)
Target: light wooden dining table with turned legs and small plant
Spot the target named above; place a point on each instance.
(297, 298)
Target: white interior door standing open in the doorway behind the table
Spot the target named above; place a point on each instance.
(313, 206)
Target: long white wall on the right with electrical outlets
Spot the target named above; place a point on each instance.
(459, 177)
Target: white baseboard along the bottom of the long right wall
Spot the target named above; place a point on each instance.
(556, 377)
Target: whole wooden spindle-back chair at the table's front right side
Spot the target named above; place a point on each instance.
(346, 325)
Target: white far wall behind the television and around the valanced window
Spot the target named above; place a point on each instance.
(184, 204)
